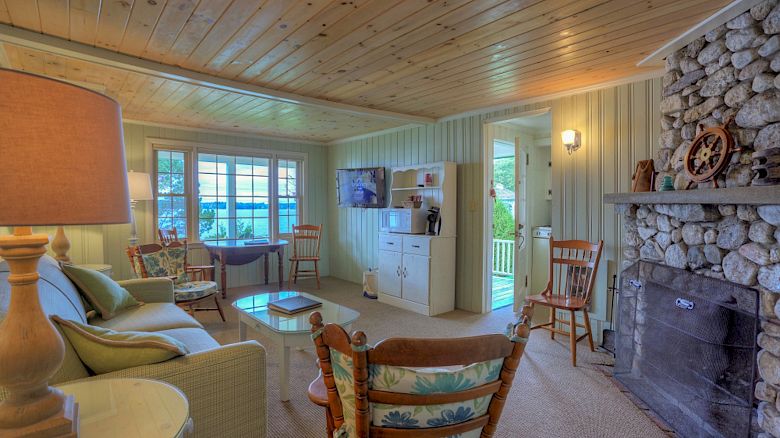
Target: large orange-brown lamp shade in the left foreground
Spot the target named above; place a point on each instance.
(63, 157)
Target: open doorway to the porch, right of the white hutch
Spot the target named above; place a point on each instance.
(518, 173)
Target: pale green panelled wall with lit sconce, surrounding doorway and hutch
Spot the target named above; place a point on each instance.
(619, 126)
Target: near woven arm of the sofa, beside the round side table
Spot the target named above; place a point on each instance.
(225, 387)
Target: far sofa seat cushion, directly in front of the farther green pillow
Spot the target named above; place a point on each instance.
(150, 317)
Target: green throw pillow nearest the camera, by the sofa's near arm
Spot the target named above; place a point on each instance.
(104, 350)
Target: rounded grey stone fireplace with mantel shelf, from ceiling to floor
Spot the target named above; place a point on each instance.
(731, 233)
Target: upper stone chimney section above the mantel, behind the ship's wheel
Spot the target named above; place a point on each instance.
(732, 71)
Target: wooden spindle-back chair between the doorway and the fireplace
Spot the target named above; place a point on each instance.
(572, 274)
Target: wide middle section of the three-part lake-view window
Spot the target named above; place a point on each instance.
(233, 197)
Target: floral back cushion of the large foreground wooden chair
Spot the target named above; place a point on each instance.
(415, 381)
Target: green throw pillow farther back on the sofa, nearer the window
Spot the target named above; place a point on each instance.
(105, 295)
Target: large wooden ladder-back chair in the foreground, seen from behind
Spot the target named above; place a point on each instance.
(391, 389)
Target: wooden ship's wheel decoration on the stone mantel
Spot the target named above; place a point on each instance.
(710, 154)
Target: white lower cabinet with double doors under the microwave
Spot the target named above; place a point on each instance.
(416, 272)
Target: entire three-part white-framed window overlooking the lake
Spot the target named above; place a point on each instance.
(209, 193)
